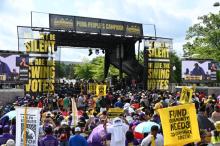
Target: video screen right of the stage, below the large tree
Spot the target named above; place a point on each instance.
(198, 70)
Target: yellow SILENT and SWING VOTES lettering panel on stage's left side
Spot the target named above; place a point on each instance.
(41, 68)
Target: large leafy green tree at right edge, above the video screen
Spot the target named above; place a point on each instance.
(203, 38)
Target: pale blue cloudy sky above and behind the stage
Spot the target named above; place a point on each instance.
(171, 17)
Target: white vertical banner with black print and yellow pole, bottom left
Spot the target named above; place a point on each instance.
(27, 126)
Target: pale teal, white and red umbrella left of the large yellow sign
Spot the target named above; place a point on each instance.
(144, 127)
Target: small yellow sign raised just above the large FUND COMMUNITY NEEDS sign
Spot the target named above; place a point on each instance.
(186, 95)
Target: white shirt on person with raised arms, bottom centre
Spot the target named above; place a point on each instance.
(113, 130)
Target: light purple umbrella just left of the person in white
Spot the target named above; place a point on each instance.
(97, 134)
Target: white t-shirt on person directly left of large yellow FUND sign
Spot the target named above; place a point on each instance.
(158, 141)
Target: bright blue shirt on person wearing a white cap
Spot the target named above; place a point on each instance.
(77, 140)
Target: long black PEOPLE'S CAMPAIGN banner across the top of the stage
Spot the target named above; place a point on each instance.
(94, 25)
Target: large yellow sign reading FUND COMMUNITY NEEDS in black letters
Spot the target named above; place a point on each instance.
(180, 125)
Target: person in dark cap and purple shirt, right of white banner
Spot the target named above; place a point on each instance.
(49, 139)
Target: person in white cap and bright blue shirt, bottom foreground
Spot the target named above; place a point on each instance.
(77, 139)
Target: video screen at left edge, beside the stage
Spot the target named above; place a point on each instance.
(11, 66)
